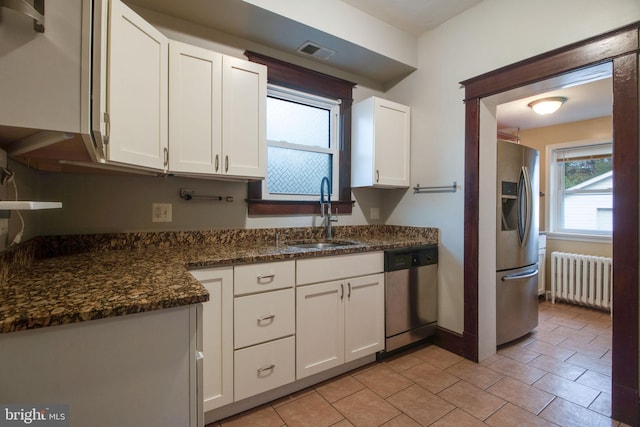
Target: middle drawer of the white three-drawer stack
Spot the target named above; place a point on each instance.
(263, 317)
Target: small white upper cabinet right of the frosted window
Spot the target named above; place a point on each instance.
(381, 144)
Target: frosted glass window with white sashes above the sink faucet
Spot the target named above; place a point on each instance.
(302, 140)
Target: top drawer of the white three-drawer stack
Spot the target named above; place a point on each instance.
(263, 277)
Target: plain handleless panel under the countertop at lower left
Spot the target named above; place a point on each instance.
(127, 371)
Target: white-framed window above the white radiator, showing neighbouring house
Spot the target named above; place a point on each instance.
(581, 183)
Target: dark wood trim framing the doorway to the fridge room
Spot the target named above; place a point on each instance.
(619, 47)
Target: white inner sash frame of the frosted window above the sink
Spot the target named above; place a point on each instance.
(317, 101)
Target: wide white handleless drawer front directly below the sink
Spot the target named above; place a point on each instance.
(329, 268)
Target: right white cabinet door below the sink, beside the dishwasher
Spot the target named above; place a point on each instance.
(364, 316)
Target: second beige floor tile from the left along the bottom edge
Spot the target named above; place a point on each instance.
(311, 410)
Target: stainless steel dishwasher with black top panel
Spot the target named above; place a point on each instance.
(411, 295)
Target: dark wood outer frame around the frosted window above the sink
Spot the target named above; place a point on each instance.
(295, 77)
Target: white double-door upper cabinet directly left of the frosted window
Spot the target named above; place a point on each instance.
(217, 113)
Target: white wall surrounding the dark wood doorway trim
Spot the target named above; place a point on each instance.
(493, 34)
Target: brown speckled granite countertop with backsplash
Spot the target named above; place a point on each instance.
(66, 279)
